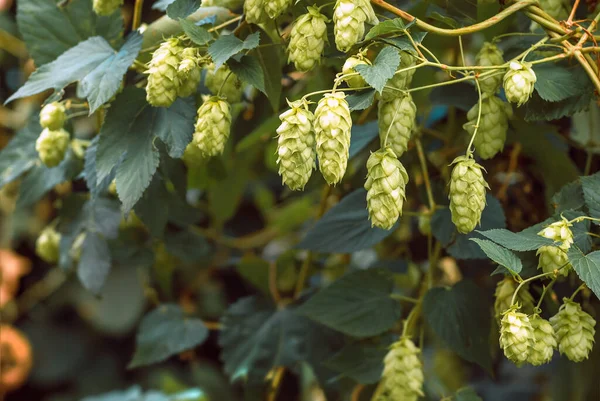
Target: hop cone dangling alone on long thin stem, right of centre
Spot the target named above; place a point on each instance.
(467, 194)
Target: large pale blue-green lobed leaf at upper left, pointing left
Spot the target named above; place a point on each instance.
(94, 63)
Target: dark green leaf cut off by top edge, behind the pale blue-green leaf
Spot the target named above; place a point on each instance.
(49, 30)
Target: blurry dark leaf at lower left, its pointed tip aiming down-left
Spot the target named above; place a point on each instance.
(165, 332)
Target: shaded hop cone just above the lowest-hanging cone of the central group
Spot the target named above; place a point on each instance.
(396, 122)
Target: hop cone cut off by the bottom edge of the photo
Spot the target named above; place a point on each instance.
(402, 378)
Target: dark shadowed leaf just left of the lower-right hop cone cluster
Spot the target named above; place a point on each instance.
(460, 317)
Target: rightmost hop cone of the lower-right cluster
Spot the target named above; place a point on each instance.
(574, 331)
